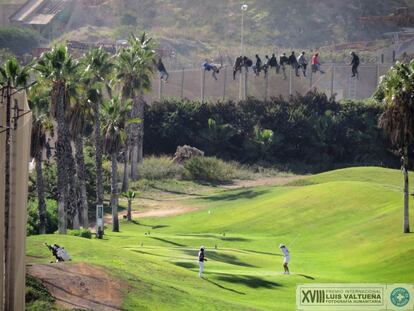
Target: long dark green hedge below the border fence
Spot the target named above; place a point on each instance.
(304, 131)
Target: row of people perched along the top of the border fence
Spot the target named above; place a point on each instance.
(298, 64)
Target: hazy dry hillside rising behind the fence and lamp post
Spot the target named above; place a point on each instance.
(205, 27)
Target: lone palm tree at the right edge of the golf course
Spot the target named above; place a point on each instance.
(397, 92)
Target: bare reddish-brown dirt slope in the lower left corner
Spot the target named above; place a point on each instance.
(80, 286)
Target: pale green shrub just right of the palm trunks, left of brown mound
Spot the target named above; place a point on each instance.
(159, 168)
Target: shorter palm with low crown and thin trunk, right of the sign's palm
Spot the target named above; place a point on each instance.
(114, 120)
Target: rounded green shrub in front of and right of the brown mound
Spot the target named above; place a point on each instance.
(210, 169)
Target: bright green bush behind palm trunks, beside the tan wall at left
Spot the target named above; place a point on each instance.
(33, 217)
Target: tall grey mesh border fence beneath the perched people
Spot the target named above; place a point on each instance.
(198, 84)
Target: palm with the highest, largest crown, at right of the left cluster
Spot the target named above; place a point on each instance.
(135, 67)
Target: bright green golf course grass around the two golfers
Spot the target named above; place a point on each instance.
(340, 226)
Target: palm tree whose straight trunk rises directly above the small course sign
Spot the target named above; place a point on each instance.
(99, 68)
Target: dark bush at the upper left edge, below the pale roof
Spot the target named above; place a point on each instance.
(18, 40)
